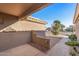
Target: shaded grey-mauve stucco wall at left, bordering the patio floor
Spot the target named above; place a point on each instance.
(13, 39)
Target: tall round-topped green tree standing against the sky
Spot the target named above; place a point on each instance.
(56, 27)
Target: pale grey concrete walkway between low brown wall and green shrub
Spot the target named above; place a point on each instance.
(60, 49)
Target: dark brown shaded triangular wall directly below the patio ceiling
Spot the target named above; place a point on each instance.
(6, 21)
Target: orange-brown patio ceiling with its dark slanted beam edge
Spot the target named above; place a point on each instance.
(21, 9)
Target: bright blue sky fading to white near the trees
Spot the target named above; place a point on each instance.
(59, 11)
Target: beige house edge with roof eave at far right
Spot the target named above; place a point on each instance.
(76, 21)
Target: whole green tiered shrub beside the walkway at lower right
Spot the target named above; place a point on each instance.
(73, 42)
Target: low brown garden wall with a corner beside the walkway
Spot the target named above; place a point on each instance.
(44, 41)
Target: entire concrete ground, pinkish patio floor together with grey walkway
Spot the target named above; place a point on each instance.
(60, 49)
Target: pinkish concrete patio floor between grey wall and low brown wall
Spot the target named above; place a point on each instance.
(23, 50)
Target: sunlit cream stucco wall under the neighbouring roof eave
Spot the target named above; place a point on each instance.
(27, 26)
